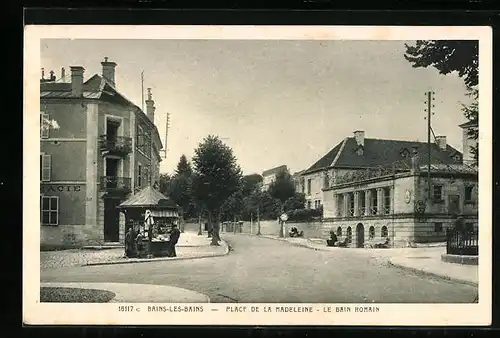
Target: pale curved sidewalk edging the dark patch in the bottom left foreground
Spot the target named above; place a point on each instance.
(140, 293)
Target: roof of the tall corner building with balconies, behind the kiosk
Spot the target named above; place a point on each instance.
(97, 87)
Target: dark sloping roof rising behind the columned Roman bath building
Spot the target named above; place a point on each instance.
(379, 152)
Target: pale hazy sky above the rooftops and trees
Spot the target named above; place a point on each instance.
(273, 102)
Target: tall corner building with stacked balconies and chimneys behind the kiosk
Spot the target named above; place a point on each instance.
(104, 149)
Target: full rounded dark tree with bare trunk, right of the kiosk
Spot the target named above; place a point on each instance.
(216, 177)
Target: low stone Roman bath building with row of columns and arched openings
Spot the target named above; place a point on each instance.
(399, 207)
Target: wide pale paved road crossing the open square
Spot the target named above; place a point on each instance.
(263, 270)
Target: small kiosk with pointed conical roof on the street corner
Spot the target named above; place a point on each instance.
(149, 218)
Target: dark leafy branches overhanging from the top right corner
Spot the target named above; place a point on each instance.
(449, 56)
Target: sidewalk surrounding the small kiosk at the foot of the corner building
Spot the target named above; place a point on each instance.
(190, 246)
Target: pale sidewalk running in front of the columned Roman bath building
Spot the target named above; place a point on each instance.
(426, 260)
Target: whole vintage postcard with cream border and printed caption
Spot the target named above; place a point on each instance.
(257, 175)
